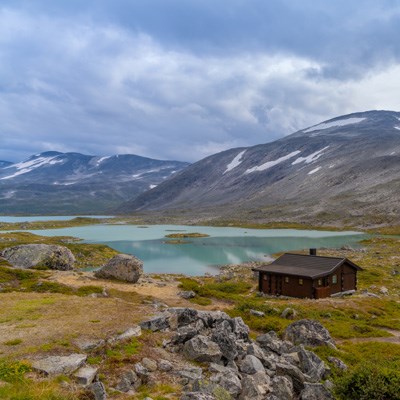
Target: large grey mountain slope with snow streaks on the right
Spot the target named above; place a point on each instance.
(346, 170)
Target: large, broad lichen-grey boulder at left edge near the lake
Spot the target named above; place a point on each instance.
(39, 255)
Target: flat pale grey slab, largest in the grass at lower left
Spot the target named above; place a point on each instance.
(57, 365)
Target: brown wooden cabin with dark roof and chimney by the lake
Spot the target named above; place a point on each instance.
(307, 276)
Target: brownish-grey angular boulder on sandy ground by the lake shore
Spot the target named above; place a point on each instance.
(123, 267)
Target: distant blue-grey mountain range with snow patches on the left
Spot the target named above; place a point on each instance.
(64, 183)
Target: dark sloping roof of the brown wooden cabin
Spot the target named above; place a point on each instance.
(305, 265)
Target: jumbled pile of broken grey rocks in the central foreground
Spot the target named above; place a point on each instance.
(238, 367)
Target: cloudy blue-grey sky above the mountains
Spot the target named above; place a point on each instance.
(182, 79)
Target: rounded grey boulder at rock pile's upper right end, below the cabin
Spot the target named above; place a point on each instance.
(309, 333)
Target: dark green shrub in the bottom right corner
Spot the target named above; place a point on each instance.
(369, 382)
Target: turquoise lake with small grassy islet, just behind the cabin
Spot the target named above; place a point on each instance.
(201, 255)
